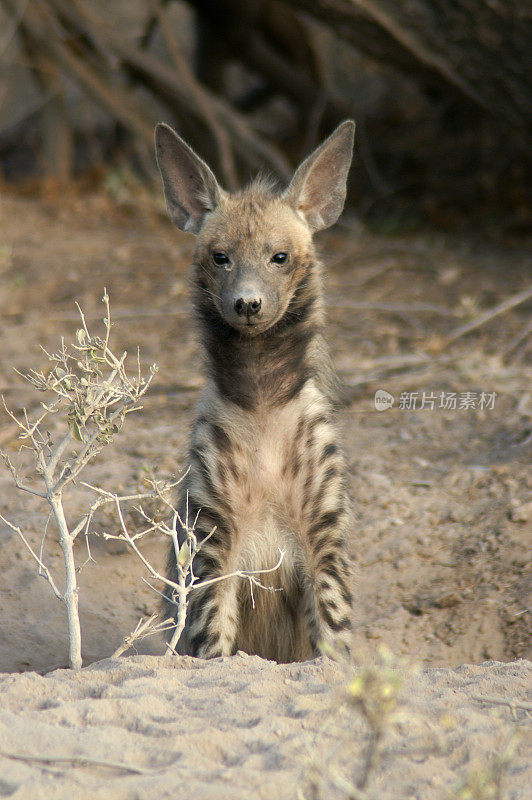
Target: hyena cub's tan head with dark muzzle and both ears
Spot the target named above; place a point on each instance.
(254, 248)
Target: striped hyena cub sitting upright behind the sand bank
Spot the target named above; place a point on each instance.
(265, 466)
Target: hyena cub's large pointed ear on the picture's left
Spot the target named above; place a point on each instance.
(190, 188)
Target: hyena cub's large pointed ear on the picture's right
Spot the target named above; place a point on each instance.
(319, 185)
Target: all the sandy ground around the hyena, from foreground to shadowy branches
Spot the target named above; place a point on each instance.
(441, 535)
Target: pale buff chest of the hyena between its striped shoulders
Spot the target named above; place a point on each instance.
(272, 474)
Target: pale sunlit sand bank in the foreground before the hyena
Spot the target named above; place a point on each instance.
(242, 727)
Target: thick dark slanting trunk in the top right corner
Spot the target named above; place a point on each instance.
(473, 49)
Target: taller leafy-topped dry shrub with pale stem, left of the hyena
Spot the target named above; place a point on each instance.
(91, 394)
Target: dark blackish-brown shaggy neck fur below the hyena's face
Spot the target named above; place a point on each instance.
(272, 367)
